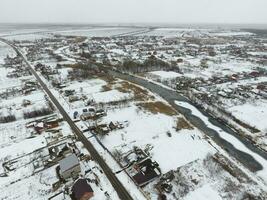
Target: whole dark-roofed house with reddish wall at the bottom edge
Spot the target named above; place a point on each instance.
(81, 190)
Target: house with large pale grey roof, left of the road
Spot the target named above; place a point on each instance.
(70, 167)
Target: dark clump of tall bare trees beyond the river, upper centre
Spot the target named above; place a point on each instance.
(150, 64)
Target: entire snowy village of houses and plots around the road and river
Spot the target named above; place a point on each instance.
(154, 150)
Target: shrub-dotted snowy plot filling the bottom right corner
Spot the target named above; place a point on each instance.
(210, 178)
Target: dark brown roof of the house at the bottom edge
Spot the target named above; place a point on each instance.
(81, 187)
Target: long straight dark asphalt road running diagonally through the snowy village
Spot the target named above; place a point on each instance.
(117, 185)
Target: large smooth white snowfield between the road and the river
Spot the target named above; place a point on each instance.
(159, 131)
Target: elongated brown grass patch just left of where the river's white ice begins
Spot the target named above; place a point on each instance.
(158, 107)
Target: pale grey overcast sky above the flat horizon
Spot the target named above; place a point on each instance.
(134, 11)
